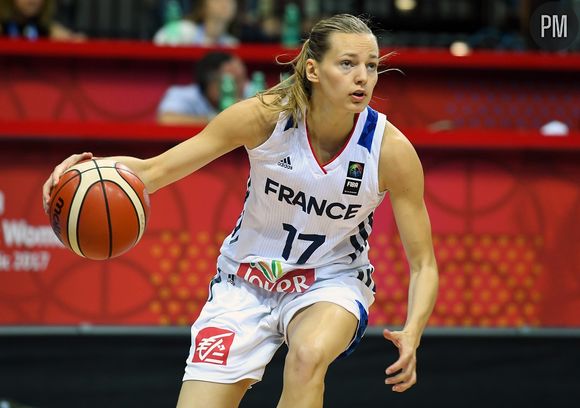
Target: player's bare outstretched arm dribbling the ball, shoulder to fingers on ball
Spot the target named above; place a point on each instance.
(245, 123)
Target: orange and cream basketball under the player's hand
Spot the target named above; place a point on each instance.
(99, 209)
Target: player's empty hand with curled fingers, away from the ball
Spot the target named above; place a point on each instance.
(405, 366)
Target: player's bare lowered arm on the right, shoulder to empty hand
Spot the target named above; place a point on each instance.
(402, 175)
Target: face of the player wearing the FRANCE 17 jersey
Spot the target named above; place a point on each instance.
(347, 74)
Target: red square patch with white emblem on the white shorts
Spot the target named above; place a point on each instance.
(212, 345)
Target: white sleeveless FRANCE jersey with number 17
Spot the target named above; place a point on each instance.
(304, 221)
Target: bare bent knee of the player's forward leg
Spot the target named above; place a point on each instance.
(306, 362)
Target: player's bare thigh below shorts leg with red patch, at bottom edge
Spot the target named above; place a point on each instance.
(204, 394)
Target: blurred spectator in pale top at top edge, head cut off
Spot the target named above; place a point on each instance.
(207, 25)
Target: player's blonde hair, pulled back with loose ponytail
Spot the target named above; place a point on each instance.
(292, 95)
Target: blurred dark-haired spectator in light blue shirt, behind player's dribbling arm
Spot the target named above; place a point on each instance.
(198, 102)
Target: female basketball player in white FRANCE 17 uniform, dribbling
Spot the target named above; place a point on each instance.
(295, 268)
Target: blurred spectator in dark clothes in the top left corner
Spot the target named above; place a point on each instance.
(32, 19)
